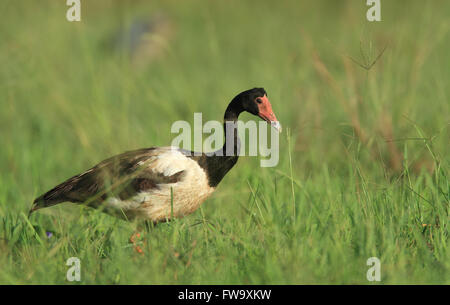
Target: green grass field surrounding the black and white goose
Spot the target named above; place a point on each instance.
(364, 165)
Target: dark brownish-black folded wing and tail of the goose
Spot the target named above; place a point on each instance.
(121, 176)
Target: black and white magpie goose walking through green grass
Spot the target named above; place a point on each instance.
(160, 183)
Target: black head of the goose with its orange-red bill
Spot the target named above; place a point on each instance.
(256, 102)
